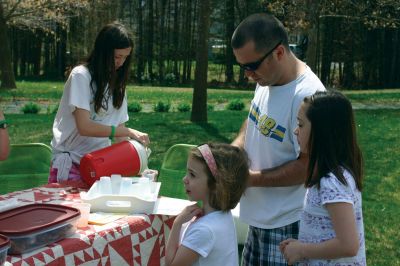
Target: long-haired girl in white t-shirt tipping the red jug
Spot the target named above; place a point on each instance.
(93, 108)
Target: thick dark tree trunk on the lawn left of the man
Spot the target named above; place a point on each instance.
(199, 110)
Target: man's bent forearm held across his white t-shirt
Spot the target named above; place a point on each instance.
(288, 174)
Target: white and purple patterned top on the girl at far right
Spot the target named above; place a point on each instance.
(316, 224)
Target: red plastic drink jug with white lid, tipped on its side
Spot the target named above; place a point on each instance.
(127, 158)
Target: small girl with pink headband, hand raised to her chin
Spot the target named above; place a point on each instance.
(217, 175)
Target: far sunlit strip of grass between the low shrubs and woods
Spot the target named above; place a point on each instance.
(49, 95)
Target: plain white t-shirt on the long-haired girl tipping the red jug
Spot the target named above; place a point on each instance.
(78, 94)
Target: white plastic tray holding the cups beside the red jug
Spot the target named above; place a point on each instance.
(133, 204)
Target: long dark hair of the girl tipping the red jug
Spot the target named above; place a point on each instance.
(101, 66)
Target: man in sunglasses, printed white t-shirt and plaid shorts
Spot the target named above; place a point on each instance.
(273, 200)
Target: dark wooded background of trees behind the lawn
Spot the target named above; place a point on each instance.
(349, 44)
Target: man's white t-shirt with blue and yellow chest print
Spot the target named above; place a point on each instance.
(270, 142)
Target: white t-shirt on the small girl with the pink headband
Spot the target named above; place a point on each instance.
(213, 237)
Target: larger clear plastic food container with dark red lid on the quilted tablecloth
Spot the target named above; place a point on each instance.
(36, 225)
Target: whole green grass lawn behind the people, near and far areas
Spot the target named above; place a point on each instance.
(377, 131)
